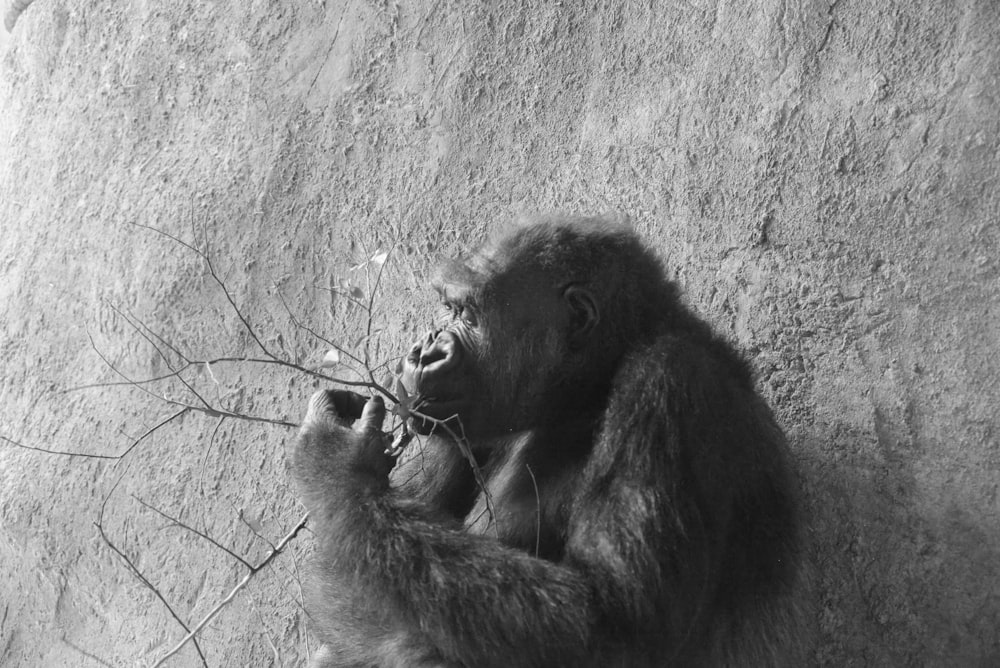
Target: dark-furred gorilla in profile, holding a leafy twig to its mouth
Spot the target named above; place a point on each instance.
(594, 480)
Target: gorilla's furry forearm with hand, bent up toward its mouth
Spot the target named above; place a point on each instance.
(477, 602)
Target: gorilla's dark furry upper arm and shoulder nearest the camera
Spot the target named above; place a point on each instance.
(642, 490)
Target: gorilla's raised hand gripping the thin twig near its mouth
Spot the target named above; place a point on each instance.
(328, 439)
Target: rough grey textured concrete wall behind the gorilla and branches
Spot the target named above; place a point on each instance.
(821, 177)
